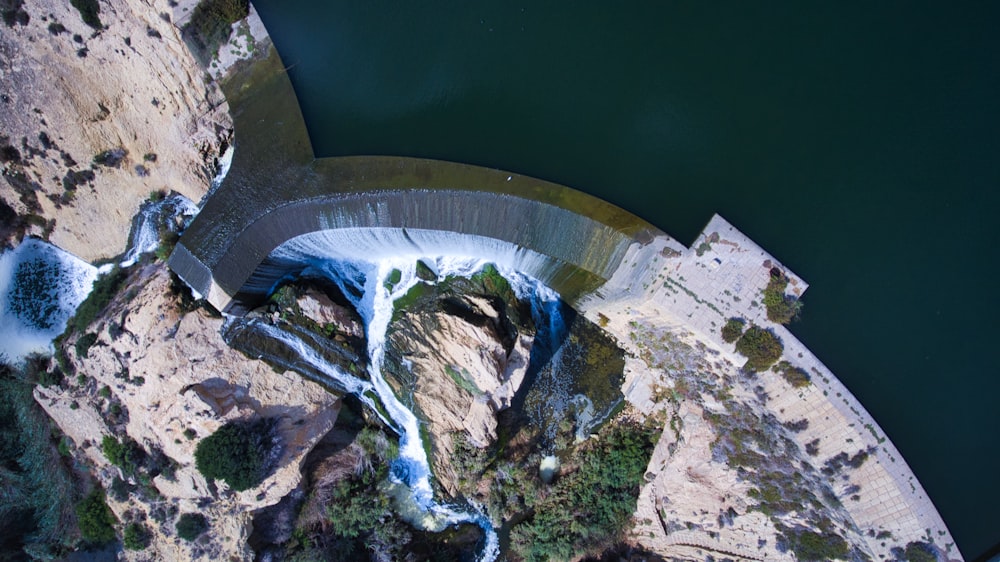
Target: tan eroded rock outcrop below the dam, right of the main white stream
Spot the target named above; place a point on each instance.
(462, 359)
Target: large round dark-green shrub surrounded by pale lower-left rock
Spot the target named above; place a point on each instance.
(237, 453)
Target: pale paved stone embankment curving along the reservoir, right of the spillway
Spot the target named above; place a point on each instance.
(723, 275)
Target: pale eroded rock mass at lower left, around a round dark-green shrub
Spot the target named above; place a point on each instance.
(176, 382)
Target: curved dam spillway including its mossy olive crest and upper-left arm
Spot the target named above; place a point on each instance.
(277, 195)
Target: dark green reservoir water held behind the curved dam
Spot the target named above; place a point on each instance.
(857, 142)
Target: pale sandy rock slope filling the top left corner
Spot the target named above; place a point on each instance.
(95, 117)
